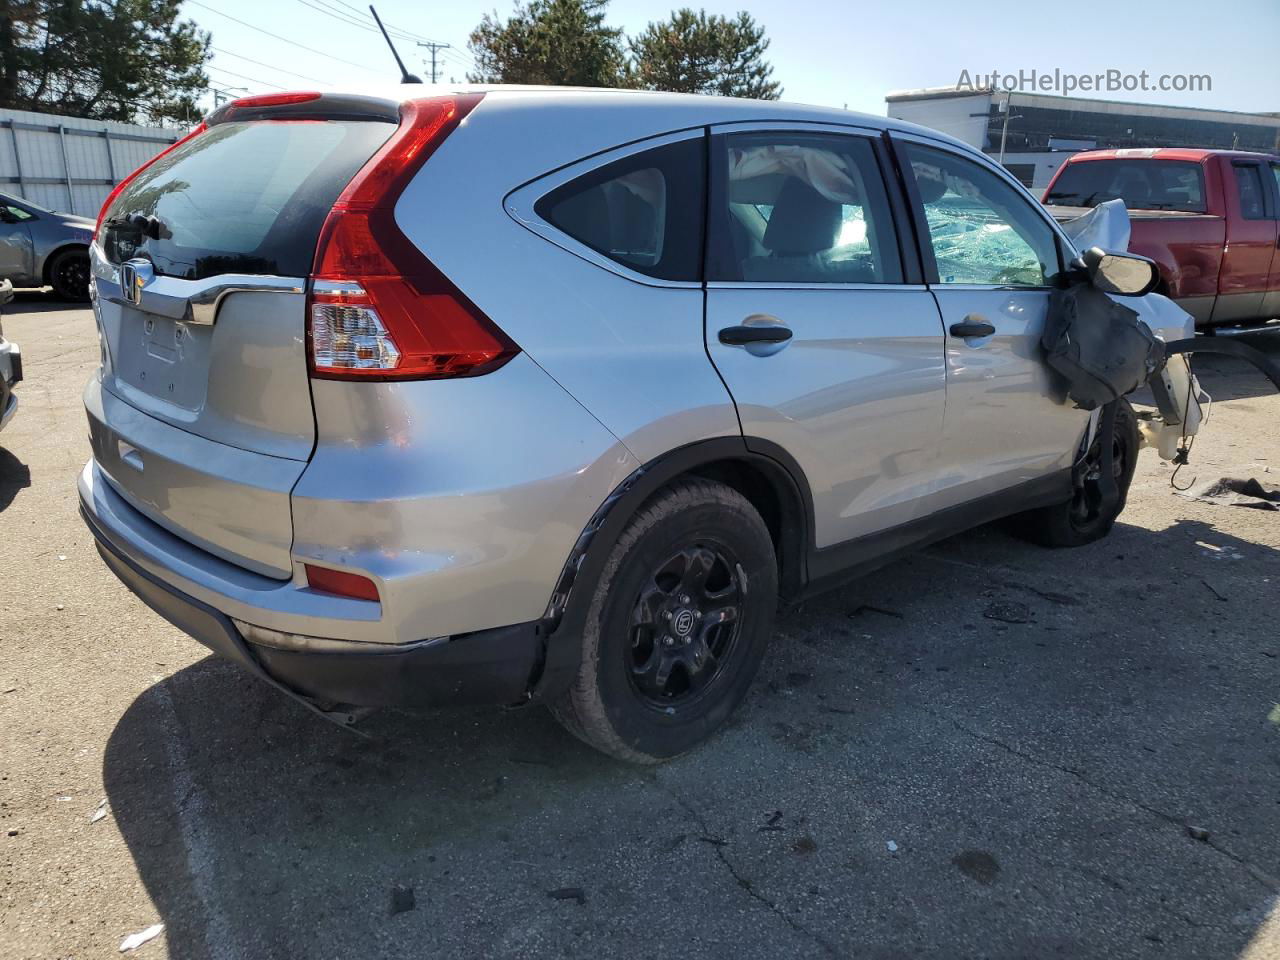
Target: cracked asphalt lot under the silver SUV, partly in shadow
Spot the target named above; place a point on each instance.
(909, 778)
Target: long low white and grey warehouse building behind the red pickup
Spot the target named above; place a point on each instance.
(1044, 130)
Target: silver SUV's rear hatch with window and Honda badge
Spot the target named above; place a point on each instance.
(204, 419)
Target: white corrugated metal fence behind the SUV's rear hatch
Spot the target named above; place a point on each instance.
(70, 164)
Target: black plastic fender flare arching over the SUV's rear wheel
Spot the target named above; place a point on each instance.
(566, 614)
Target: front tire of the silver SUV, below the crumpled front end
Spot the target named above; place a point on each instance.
(1084, 520)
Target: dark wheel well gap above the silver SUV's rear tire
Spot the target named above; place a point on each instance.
(772, 492)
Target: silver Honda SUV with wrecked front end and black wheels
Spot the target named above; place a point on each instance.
(536, 396)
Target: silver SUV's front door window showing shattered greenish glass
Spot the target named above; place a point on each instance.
(982, 231)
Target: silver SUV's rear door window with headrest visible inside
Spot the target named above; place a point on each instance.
(802, 209)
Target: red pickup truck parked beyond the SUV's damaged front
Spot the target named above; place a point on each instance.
(1209, 218)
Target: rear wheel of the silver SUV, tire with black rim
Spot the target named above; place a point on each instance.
(689, 534)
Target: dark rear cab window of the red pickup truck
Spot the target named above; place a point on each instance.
(1142, 185)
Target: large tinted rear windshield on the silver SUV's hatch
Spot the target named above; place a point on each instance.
(243, 198)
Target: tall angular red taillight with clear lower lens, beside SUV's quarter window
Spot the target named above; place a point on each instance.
(380, 309)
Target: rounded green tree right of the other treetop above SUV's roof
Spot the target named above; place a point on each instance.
(693, 53)
